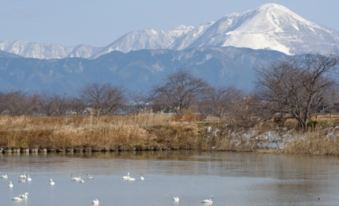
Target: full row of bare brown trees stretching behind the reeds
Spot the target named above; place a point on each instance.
(294, 88)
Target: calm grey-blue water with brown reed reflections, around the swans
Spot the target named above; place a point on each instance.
(236, 179)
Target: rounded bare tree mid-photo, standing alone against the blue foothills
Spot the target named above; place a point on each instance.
(180, 91)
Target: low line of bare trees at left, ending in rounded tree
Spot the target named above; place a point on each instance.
(99, 99)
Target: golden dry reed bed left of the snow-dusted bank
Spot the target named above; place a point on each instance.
(133, 132)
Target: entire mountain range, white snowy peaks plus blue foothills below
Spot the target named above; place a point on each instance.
(224, 53)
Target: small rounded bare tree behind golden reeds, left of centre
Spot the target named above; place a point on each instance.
(105, 98)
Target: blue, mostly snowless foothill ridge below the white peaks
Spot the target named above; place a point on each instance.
(136, 71)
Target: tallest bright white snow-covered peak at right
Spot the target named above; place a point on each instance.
(273, 27)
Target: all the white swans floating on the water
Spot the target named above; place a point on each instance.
(25, 178)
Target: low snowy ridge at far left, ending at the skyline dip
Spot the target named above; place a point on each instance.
(46, 51)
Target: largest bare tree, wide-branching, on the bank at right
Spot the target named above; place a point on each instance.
(296, 88)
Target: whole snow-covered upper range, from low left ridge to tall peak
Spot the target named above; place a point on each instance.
(271, 26)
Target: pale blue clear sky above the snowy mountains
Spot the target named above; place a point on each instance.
(99, 22)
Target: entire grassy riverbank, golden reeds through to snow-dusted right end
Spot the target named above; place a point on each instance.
(150, 131)
